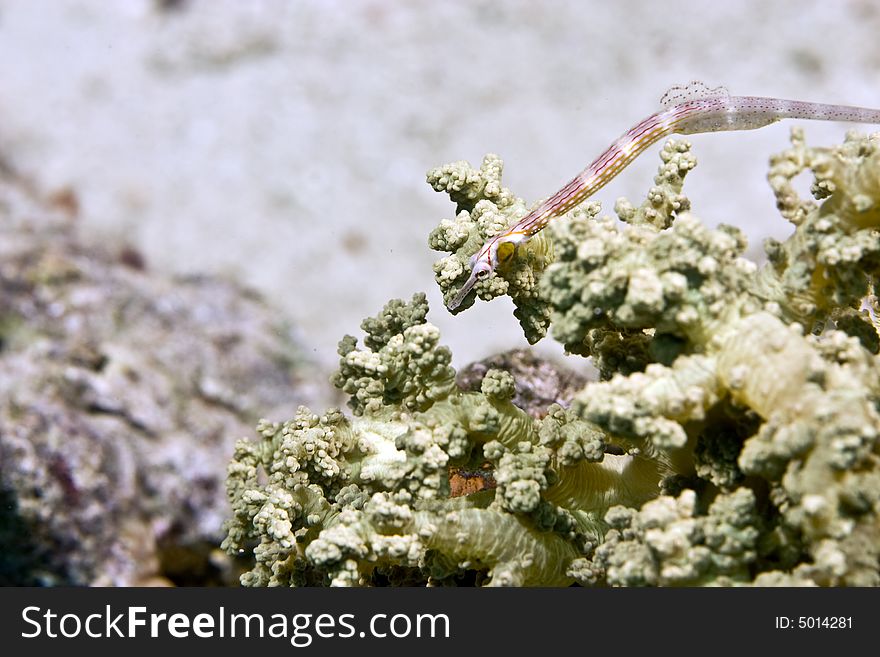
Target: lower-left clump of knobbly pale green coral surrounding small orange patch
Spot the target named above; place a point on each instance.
(343, 501)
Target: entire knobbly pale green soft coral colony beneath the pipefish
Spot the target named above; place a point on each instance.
(733, 439)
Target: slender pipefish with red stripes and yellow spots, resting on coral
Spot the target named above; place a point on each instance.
(689, 109)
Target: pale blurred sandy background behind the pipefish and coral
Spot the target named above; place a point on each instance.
(285, 144)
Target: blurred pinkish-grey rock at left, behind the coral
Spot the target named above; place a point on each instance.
(122, 392)
